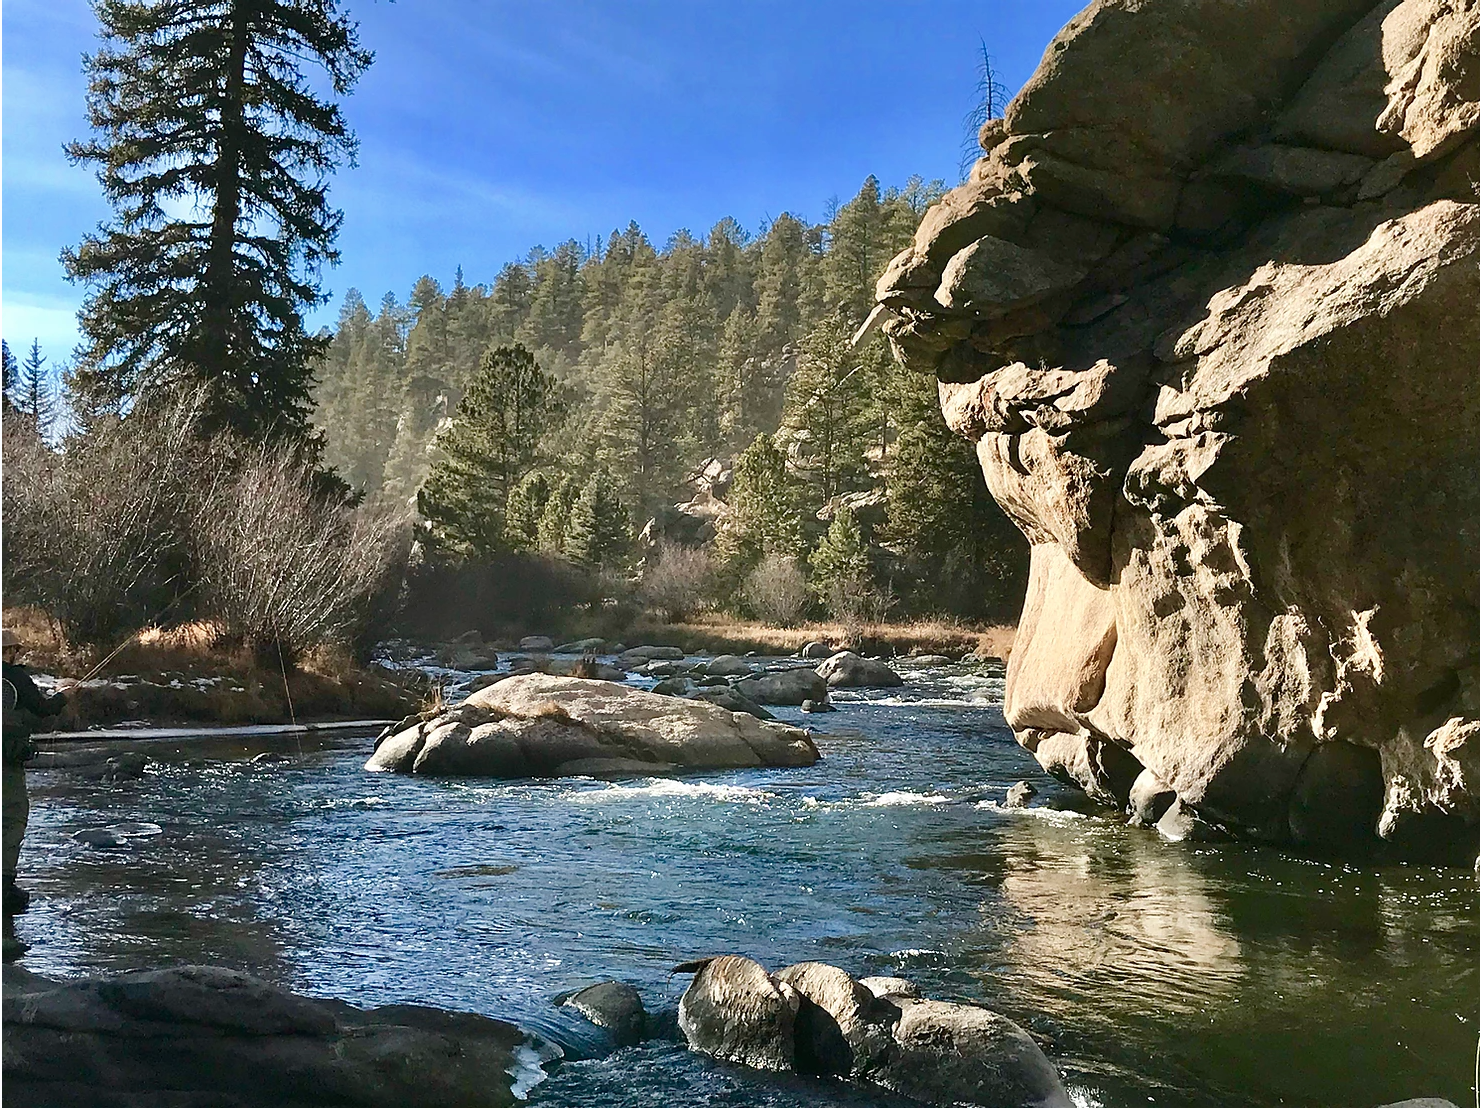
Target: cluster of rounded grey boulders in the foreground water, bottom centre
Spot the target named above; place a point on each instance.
(815, 1019)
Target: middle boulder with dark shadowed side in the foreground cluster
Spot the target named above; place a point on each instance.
(840, 1024)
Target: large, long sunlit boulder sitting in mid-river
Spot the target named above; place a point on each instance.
(542, 726)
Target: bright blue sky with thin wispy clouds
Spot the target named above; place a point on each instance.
(489, 126)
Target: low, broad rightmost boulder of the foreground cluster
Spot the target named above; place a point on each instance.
(948, 1054)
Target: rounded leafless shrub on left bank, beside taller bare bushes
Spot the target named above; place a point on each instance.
(285, 567)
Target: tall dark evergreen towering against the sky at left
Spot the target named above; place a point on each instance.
(205, 106)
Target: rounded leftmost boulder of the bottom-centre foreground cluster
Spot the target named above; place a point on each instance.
(733, 1010)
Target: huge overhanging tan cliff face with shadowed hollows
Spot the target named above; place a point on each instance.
(1210, 308)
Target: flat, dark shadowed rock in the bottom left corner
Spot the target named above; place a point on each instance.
(201, 1035)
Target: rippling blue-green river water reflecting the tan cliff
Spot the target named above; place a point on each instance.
(1174, 974)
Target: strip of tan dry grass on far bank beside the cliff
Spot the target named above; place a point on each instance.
(738, 637)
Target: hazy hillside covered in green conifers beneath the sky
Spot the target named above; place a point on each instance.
(656, 369)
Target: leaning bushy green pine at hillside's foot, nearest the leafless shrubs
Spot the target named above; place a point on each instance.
(491, 446)
